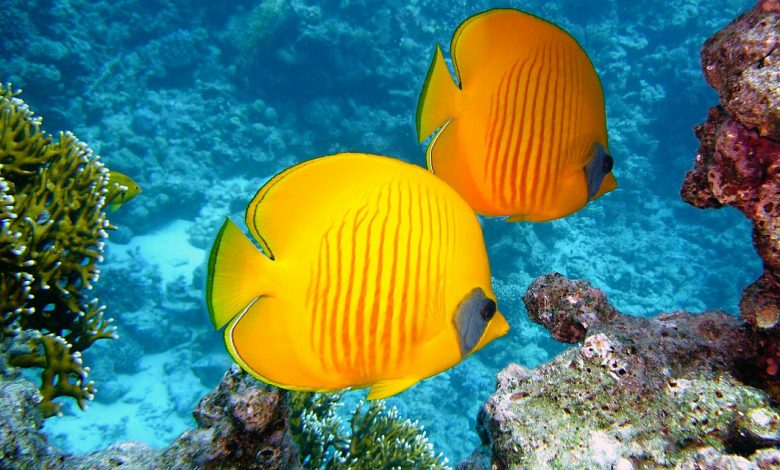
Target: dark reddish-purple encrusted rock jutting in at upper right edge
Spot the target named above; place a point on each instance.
(738, 163)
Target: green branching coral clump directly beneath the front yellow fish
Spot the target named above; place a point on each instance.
(377, 438)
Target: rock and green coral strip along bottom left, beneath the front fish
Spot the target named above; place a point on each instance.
(243, 423)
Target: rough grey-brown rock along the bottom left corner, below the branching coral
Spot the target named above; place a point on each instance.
(241, 424)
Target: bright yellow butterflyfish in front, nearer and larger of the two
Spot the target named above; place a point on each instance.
(373, 273)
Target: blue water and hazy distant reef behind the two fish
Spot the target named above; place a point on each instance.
(200, 102)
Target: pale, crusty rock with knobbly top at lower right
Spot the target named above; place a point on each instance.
(638, 392)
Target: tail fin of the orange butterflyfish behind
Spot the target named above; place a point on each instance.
(438, 98)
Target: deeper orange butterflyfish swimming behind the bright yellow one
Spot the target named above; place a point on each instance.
(523, 132)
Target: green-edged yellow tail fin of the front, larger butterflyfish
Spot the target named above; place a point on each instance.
(237, 269)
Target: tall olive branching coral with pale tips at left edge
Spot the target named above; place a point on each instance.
(52, 231)
